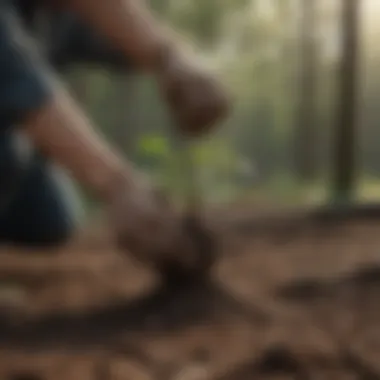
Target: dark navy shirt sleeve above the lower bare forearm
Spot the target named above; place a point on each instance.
(25, 83)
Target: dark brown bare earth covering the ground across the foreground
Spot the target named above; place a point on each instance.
(289, 301)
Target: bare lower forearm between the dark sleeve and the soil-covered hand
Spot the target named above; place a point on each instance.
(62, 132)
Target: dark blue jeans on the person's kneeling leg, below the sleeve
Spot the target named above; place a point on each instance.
(37, 202)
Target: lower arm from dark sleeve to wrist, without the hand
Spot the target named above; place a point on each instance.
(31, 98)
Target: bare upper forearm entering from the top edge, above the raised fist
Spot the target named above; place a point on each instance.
(129, 25)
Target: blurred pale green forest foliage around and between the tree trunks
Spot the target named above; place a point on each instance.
(255, 45)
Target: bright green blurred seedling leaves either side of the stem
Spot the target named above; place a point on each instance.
(215, 160)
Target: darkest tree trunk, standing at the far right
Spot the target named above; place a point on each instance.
(344, 139)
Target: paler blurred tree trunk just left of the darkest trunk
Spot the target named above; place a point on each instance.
(305, 139)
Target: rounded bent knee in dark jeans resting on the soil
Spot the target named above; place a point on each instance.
(46, 215)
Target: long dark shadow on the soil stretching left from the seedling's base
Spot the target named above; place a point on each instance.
(165, 310)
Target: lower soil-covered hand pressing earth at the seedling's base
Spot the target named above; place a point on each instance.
(144, 222)
